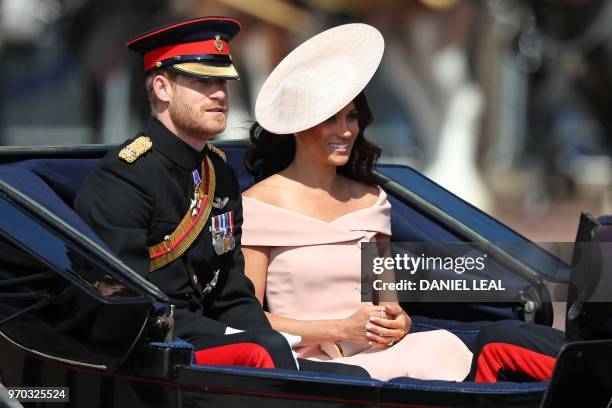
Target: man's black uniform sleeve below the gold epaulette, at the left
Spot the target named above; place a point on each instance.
(119, 212)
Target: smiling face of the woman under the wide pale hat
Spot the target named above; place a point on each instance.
(331, 142)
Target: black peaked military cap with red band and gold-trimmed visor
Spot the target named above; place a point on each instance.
(198, 47)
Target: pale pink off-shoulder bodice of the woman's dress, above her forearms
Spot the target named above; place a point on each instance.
(314, 270)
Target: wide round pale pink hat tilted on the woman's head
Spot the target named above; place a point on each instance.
(319, 78)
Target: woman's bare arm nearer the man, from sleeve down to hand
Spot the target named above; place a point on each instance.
(353, 328)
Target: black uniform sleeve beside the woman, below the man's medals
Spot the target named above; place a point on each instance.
(235, 301)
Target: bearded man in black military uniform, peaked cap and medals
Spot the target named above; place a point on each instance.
(170, 207)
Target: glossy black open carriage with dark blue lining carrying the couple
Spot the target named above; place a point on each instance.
(54, 271)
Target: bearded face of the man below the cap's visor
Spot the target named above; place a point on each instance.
(198, 107)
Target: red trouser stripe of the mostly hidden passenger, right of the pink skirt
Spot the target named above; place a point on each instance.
(497, 356)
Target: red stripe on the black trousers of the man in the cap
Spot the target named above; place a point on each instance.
(240, 354)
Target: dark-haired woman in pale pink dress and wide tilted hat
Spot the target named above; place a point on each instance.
(317, 201)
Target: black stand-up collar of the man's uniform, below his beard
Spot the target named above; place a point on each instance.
(169, 144)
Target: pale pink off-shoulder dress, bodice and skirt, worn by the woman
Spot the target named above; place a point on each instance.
(314, 274)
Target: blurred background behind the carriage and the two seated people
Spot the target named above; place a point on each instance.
(503, 102)
